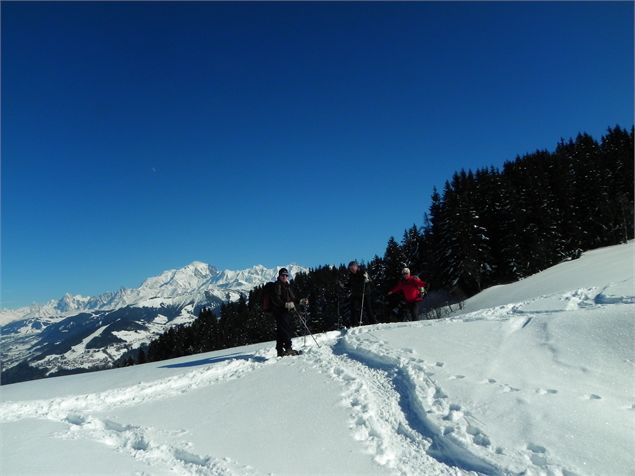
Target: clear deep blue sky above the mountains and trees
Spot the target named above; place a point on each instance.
(140, 137)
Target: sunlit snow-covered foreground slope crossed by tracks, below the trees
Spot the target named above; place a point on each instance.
(534, 378)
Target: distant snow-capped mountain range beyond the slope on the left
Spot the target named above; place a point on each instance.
(79, 333)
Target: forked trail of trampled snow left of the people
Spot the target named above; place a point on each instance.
(143, 444)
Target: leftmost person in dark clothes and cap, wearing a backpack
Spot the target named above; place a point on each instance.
(282, 305)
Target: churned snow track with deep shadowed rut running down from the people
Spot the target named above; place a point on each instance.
(388, 419)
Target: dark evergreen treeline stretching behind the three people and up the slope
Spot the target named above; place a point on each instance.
(486, 227)
